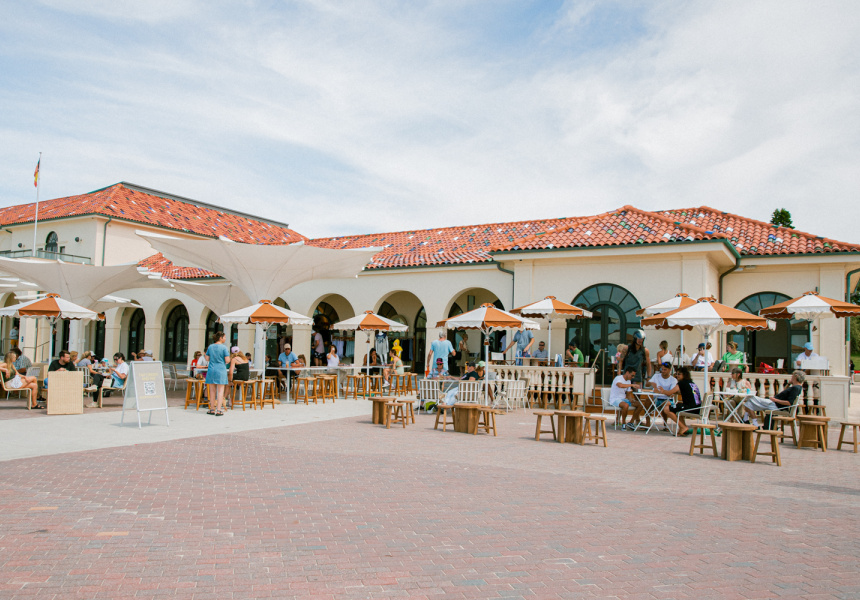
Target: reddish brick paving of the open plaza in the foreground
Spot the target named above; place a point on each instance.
(345, 509)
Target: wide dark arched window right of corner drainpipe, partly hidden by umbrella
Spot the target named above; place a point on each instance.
(784, 342)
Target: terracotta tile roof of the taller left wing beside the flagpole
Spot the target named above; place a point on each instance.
(133, 203)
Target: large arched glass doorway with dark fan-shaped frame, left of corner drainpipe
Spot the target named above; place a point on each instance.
(613, 323)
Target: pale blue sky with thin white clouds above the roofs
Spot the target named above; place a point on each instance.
(368, 116)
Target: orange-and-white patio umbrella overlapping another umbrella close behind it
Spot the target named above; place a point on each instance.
(707, 316)
